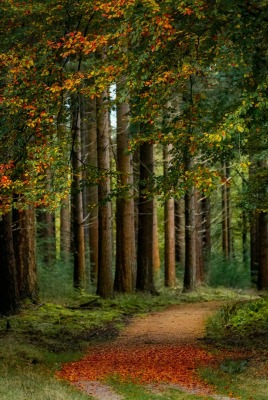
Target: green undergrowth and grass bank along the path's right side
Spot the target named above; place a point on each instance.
(241, 328)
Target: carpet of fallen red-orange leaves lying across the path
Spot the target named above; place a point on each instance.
(144, 364)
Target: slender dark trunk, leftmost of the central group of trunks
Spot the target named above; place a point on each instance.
(78, 238)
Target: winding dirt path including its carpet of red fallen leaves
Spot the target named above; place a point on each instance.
(162, 349)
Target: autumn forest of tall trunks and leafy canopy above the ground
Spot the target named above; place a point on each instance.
(133, 146)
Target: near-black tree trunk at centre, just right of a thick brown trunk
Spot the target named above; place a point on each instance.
(145, 273)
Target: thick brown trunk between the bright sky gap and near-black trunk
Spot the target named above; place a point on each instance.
(125, 219)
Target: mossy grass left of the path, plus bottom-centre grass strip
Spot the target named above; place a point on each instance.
(43, 336)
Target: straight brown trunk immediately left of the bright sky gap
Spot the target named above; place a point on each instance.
(105, 278)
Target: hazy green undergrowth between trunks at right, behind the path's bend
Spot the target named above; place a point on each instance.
(229, 274)
